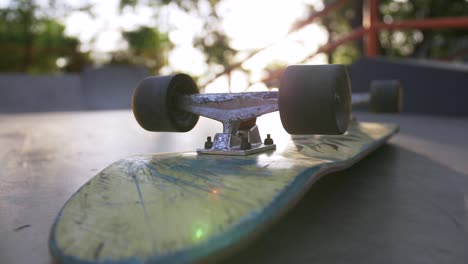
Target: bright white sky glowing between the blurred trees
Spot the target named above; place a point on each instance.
(250, 24)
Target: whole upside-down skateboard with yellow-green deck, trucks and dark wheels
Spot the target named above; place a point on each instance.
(204, 205)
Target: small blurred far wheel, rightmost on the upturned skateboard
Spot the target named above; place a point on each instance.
(386, 96)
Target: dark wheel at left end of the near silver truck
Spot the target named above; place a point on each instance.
(155, 103)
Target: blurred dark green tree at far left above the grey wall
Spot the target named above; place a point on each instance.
(34, 43)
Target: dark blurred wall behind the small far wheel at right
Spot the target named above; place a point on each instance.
(430, 87)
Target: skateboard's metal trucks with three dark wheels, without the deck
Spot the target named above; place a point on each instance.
(312, 99)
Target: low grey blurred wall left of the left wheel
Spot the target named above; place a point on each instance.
(93, 89)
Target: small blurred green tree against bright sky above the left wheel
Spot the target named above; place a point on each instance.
(146, 46)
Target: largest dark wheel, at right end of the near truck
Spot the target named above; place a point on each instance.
(315, 99)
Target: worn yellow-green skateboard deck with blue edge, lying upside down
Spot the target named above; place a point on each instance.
(187, 207)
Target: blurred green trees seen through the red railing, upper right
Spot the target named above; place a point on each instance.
(430, 44)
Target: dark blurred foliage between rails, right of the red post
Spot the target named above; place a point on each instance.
(423, 43)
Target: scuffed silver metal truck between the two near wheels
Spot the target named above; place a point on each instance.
(237, 112)
